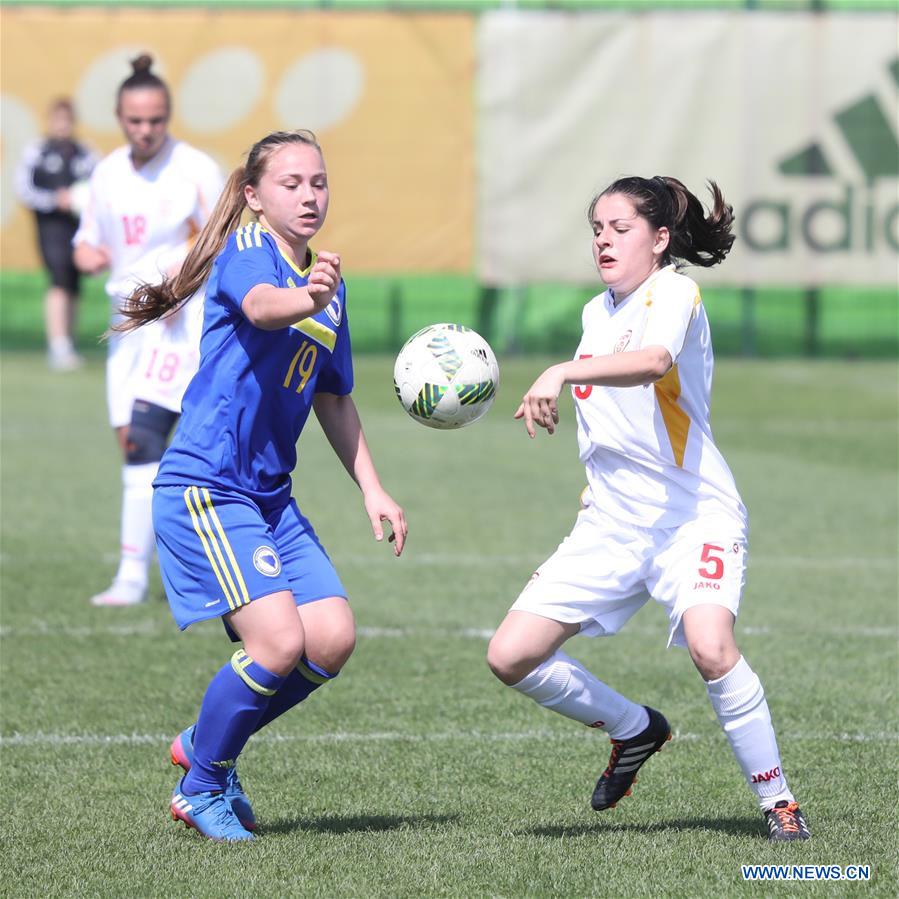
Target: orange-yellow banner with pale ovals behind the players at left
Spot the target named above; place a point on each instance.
(388, 94)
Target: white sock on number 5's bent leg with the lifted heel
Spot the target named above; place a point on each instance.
(563, 685)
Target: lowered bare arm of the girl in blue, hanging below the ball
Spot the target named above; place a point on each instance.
(339, 419)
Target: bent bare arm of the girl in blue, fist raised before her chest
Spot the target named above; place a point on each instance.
(269, 307)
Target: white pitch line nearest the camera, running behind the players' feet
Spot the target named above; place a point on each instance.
(39, 738)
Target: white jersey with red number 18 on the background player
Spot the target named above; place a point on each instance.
(146, 217)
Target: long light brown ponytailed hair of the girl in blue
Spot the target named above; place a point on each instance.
(150, 302)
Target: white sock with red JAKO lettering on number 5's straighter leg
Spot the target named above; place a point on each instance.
(739, 702)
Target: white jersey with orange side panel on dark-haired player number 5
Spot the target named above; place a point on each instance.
(649, 452)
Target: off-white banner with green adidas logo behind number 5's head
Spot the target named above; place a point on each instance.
(794, 116)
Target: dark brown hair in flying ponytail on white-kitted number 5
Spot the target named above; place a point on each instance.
(665, 202)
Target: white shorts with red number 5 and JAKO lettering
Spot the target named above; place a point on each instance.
(606, 569)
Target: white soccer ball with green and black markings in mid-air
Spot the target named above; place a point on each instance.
(446, 376)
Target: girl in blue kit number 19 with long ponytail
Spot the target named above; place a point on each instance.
(232, 542)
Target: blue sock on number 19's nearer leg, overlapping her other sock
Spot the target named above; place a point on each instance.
(235, 699)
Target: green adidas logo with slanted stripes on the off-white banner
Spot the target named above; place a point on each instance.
(848, 214)
